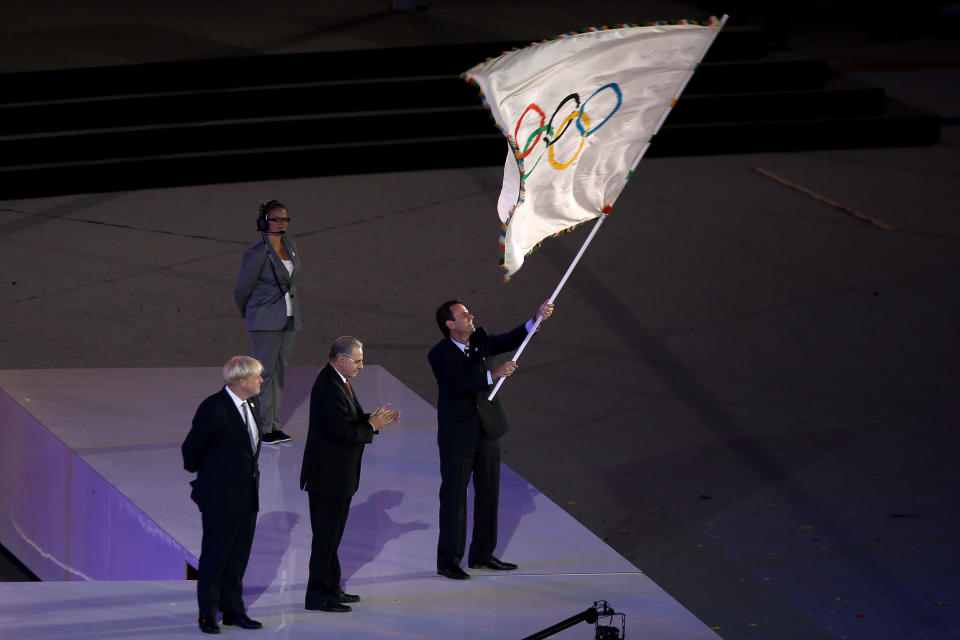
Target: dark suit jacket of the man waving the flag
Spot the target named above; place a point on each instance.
(462, 384)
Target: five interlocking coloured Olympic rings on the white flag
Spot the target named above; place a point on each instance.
(545, 132)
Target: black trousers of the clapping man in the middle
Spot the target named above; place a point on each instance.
(328, 516)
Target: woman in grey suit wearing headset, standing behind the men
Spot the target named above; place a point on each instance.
(266, 294)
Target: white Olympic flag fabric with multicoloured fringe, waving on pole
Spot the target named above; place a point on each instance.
(577, 113)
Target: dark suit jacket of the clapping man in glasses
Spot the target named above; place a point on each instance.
(335, 440)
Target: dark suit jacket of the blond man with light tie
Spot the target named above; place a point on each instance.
(218, 449)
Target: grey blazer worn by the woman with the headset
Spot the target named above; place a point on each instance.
(260, 289)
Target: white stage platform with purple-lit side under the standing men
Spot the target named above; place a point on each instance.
(96, 502)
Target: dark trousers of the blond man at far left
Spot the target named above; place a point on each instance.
(227, 539)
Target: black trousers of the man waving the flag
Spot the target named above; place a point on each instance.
(456, 466)
